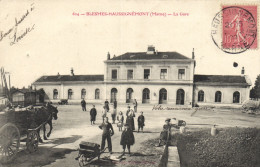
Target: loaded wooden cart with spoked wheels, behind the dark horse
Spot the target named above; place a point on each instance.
(15, 127)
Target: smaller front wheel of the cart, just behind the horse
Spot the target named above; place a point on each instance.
(32, 141)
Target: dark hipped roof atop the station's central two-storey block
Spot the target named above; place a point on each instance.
(145, 56)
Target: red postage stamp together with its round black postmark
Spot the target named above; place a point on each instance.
(234, 29)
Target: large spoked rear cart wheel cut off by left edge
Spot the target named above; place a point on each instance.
(9, 142)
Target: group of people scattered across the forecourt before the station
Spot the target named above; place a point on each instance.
(127, 136)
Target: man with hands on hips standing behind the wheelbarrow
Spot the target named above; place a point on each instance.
(106, 135)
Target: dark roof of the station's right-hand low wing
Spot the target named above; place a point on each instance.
(225, 79)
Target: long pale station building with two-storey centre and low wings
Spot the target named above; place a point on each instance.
(150, 77)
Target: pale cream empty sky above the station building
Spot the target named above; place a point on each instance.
(56, 40)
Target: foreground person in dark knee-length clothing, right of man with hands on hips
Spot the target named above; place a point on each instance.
(127, 139)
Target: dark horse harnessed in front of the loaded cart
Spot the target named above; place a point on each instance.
(43, 116)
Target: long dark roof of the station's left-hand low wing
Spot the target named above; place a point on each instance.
(64, 78)
